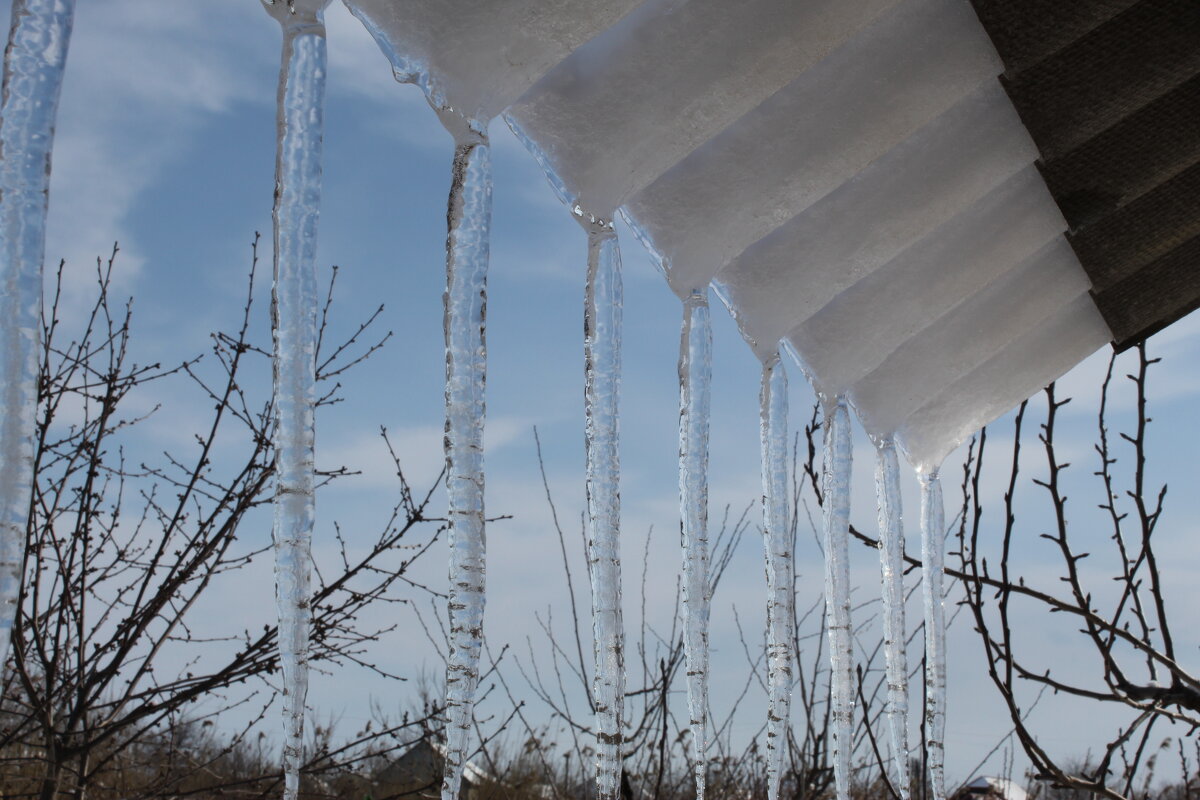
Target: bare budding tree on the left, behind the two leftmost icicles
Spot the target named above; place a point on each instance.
(103, 694)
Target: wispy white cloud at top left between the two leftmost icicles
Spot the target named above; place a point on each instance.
(141, 80)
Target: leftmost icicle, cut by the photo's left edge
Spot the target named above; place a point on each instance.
(33, 81)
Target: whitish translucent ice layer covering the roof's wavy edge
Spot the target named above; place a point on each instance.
(823, 163)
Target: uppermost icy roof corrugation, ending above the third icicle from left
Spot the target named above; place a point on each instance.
(477, 57)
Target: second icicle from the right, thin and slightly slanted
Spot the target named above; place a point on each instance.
(887, 491)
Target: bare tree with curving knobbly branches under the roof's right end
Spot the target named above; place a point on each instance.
(1124, 627)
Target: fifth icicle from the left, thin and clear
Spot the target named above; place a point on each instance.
(695, 390)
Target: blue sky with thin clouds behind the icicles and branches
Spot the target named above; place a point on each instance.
(166, 143)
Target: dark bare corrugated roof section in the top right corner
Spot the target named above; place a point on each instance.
(1111, 93)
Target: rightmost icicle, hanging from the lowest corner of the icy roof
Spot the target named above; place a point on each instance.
(933, 544)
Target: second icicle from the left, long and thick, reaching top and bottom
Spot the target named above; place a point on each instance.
(298, 171)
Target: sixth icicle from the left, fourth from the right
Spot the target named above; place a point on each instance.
(778, 546)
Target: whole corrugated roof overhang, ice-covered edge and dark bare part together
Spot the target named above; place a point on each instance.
(938, 206)
